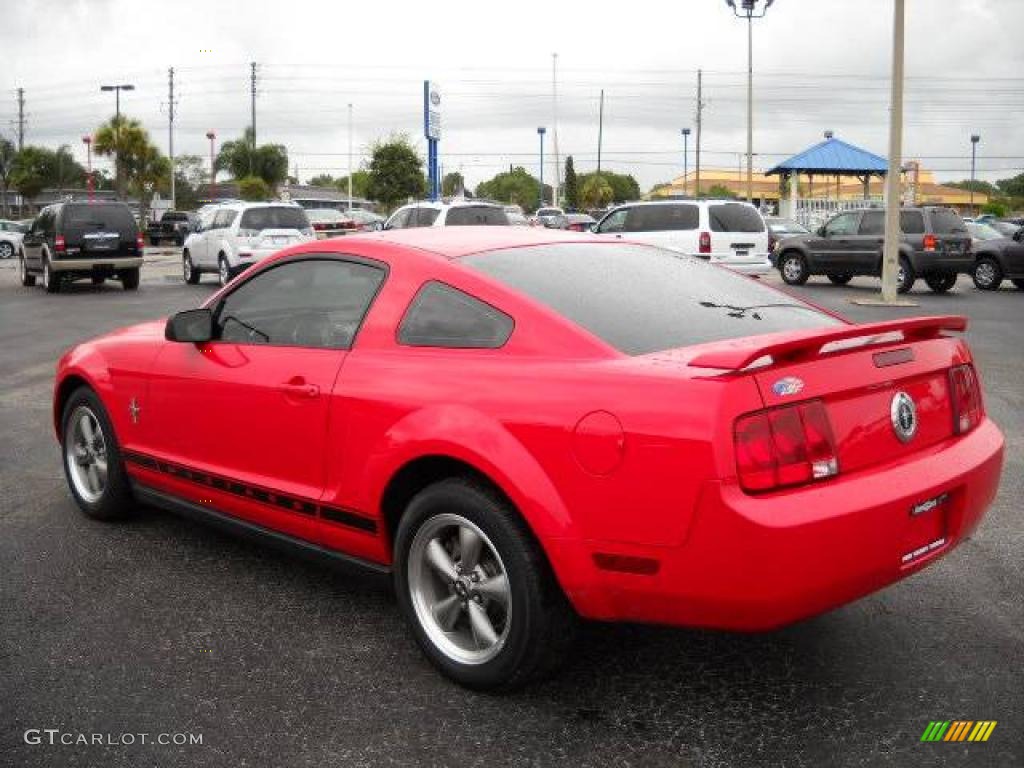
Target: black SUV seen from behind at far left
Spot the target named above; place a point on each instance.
(72, 241)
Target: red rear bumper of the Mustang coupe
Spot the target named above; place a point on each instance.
(759, 563)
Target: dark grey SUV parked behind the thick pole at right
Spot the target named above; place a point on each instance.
(935, 245)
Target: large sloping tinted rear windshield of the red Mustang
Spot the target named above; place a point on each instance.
(642, 300)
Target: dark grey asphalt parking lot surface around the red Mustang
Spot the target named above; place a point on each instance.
(165, 626)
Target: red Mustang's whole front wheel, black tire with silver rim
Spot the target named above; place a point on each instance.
(93, 461)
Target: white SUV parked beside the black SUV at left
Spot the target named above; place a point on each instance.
(230, 238)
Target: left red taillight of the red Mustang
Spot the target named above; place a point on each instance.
(786, 446)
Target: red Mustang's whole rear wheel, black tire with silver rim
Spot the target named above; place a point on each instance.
(476, 588)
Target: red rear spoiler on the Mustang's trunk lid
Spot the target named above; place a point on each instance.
(738, 355)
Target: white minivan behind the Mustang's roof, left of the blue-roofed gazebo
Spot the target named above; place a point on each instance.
(724, 232)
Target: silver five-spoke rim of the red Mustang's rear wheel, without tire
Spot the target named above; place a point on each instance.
(459, 589)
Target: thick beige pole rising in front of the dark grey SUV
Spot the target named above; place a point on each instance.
(890, 253)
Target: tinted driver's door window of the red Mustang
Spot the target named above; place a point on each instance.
(311, 304)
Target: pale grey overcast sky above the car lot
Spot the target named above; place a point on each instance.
(819, 65)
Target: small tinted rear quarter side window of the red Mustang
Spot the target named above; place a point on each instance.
(444, 317)
